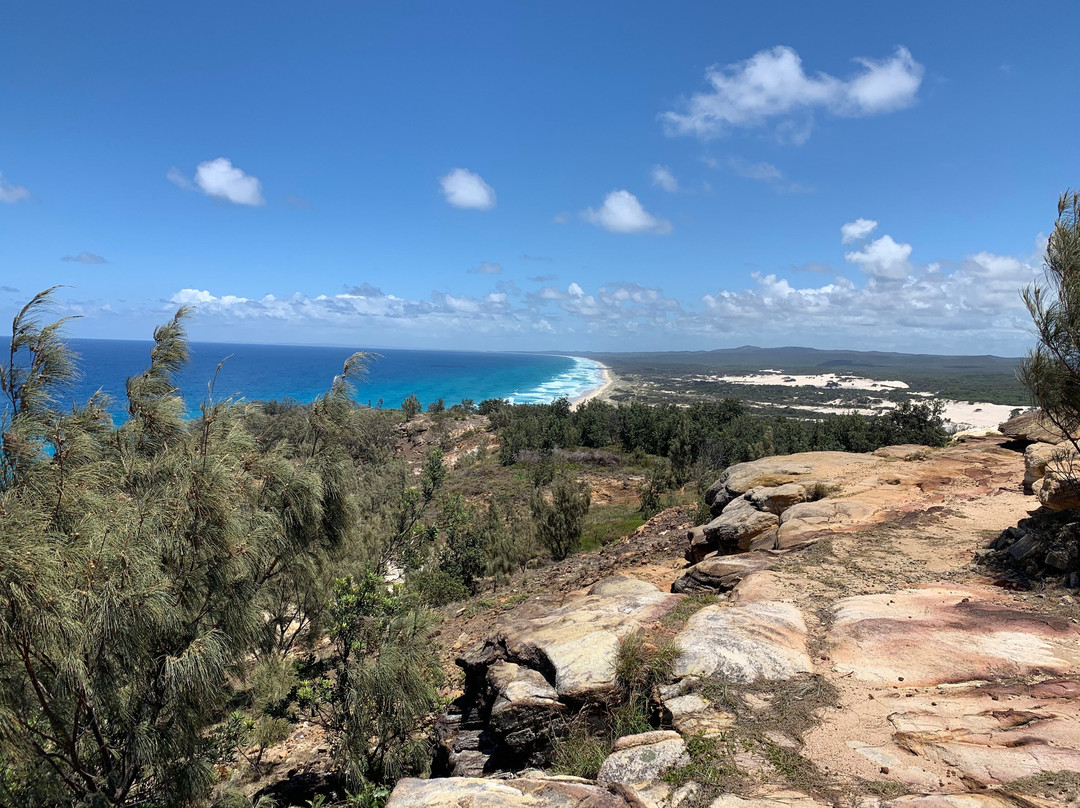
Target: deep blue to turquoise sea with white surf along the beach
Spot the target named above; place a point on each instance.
(264, 372)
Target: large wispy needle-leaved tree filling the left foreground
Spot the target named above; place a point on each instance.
(137, 567)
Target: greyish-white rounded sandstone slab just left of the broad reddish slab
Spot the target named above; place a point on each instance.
(745, 643)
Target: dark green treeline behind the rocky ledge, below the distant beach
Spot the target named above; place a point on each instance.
(714, 434)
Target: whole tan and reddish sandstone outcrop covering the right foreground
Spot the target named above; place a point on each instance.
(884, 658)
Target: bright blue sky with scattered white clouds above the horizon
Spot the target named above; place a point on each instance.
(538, 177)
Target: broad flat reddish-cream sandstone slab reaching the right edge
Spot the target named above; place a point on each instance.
(937, 636)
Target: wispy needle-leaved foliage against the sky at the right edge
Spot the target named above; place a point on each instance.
(1052, 371)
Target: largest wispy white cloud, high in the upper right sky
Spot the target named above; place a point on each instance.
(773, 85)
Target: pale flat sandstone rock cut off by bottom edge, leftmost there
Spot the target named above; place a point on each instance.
(532, 792)
